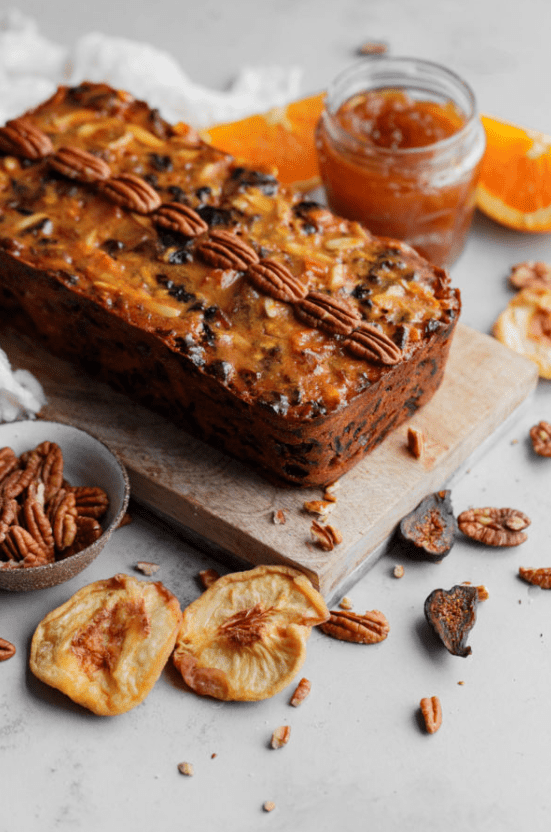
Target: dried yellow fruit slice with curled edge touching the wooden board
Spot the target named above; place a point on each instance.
(245, 637)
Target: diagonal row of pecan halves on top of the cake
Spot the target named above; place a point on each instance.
(221, 249)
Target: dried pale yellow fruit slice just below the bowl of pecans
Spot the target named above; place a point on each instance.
(107, 645)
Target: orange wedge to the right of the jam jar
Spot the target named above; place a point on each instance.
(515, 179)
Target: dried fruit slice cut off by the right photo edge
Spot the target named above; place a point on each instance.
(525, 326)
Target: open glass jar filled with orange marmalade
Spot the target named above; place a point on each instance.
(399, 147)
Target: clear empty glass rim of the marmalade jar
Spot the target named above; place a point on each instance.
(375, 67)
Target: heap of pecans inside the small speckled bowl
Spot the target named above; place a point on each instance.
(42, 517)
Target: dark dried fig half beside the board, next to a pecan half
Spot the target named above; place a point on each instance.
(429, 530)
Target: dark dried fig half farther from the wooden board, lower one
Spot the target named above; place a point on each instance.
(452, 615)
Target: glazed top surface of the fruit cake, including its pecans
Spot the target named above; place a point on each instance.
(208, 295)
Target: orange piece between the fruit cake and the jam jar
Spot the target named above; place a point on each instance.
(280, 139)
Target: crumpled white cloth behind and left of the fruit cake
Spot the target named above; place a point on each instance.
(32, 67)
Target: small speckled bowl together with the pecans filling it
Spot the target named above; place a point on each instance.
(62, 493)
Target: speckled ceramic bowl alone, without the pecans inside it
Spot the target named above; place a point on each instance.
(87, 461)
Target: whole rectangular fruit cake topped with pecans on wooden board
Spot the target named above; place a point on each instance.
(286, 336)
